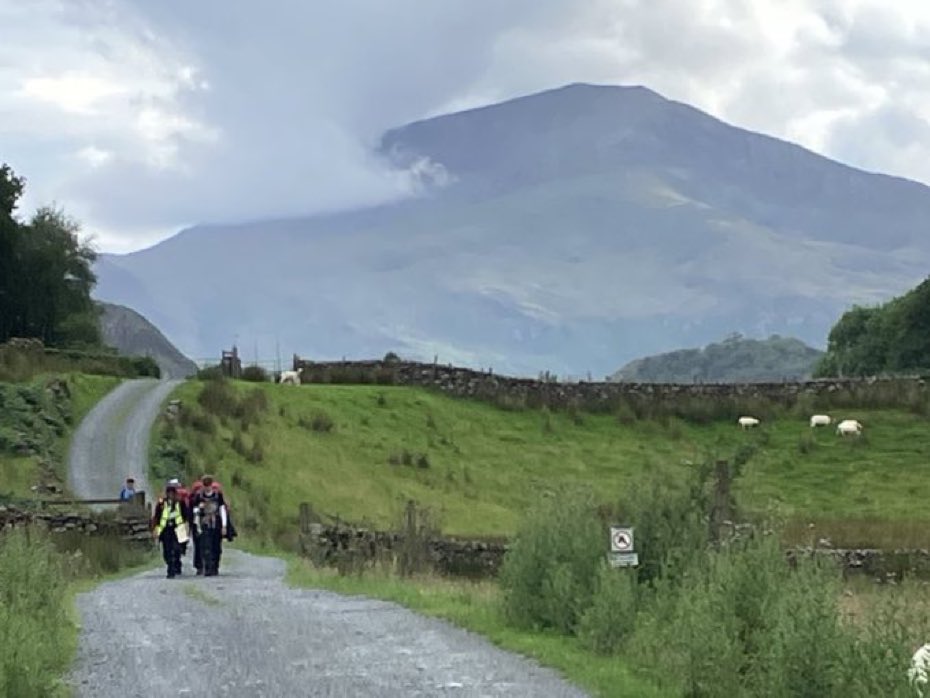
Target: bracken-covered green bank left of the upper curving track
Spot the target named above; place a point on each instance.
(36, 422)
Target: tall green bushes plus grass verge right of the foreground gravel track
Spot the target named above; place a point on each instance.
(695, 619)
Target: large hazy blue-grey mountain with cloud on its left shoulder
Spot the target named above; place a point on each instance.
(569, 230)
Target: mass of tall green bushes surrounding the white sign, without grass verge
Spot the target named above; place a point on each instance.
(725, 618)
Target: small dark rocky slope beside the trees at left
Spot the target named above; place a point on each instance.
(133, 335)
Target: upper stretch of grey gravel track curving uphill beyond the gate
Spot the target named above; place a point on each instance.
(111, 443)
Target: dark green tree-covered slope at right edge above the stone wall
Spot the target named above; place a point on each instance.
(889, 338)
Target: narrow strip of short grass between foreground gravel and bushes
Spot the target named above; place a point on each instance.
(475, 607)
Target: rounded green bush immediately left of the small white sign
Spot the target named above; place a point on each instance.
(547, 577)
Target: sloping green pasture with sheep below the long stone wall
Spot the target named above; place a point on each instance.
(360, 451)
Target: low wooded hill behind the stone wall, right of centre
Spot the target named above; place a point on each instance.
(734, 360)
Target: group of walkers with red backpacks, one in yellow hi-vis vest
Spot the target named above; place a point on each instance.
(200, 515)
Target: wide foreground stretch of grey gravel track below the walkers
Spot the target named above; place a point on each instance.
(245, 633)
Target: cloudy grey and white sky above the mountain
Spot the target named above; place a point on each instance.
(141, 116)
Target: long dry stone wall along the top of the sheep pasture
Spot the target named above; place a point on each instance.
(526, 392)
